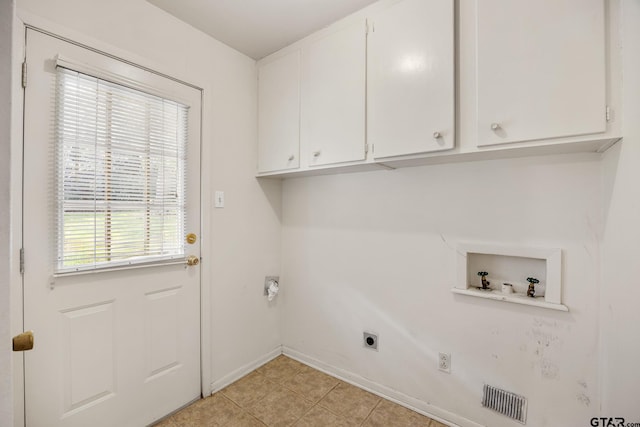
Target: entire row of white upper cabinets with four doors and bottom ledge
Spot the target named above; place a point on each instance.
(380, 88)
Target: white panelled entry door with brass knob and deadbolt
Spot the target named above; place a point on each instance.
(117, 344)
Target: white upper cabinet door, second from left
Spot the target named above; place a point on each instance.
(333, 97)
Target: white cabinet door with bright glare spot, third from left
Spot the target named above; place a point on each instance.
(411, 78)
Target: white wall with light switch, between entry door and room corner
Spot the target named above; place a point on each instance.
(244, 234)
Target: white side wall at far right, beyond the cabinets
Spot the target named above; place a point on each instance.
(621, 243)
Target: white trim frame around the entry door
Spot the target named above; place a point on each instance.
(24, 21)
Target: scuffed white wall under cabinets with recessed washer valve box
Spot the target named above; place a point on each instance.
(376, 251)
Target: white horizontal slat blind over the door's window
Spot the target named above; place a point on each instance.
(120, 172)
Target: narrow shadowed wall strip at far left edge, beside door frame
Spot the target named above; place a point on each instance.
(6, 386)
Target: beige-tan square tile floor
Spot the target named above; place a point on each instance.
(285, 392)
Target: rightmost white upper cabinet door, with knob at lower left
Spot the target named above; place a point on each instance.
(541, 69)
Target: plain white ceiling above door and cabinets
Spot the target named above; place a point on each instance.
(259, 27)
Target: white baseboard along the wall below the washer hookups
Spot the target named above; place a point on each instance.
(412, 403)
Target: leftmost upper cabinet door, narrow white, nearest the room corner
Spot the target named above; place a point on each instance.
(279, 114)
